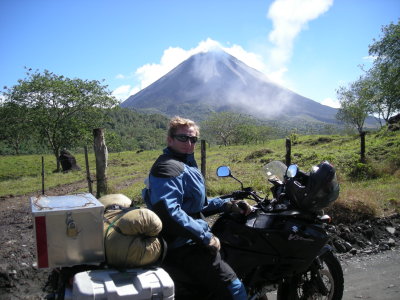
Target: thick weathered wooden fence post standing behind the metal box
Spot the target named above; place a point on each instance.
(101, 153)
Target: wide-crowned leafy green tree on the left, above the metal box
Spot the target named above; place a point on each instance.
(64, 111)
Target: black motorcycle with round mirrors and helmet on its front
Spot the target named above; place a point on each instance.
(282, 244)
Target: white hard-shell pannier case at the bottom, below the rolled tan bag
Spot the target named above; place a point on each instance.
(134, 284)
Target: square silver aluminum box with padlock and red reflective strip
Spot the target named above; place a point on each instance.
(68, 230)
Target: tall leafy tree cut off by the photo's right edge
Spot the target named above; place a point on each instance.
(386, 71)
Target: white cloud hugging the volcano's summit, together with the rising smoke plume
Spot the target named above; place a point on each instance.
(289, 18)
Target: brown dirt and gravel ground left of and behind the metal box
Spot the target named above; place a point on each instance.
(19, 276)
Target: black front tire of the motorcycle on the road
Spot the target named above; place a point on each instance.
(304, 287)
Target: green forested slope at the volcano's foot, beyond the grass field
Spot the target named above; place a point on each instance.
(129, 130)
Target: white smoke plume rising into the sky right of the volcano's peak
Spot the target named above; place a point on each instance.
(289, 18)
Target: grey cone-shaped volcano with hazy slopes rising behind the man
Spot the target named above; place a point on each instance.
(216, 81)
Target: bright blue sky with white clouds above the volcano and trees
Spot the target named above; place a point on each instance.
(309, 46)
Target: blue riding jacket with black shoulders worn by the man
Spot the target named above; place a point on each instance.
(176, 193)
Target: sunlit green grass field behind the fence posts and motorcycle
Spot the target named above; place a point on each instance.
(372, 188)
